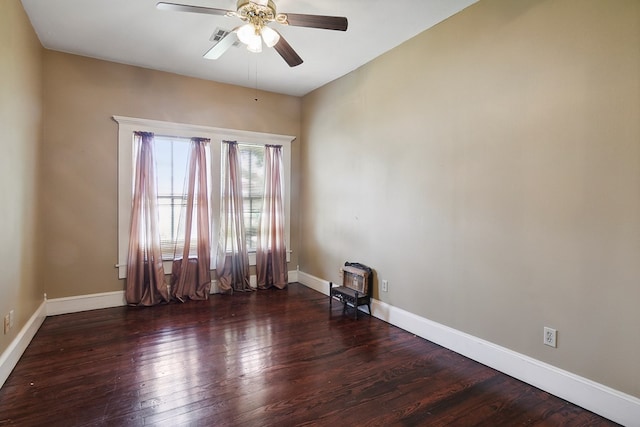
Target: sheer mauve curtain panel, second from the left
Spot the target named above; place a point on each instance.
(191, 276)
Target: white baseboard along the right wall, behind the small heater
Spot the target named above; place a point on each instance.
(605, 401)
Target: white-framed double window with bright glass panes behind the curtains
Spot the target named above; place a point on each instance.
(170, 156)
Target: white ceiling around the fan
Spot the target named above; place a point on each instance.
(134, 32)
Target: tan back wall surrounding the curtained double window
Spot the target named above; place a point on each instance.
(79, 175)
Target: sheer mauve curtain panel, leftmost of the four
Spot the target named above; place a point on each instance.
(145, 275)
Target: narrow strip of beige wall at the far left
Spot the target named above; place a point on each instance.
(20, 121)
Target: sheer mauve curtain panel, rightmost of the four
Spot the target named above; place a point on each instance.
(271, 253)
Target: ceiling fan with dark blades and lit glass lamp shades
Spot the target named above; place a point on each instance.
(257, 15)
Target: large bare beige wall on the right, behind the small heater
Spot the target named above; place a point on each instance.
(489, 169)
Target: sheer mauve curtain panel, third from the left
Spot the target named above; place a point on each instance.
(232, 264)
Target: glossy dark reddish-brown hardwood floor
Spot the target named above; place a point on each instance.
(268, 358)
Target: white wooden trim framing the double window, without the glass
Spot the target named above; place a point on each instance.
(128, 125)
